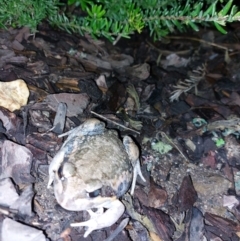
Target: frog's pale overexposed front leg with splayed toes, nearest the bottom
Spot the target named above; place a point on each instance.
(100, 219)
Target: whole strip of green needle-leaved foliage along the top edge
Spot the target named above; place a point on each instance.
(113, 19)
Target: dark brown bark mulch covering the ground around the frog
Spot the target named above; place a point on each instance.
(179, 98)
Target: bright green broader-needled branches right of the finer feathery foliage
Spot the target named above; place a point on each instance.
(122, 18)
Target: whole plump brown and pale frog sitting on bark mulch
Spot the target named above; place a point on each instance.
(92, 170)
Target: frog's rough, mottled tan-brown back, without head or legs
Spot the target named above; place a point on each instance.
(103, 157)
